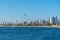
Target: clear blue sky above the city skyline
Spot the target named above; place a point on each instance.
(11, 10)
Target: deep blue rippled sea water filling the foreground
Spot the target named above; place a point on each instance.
(29, 33)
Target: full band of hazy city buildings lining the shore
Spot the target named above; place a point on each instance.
(51, 21)
